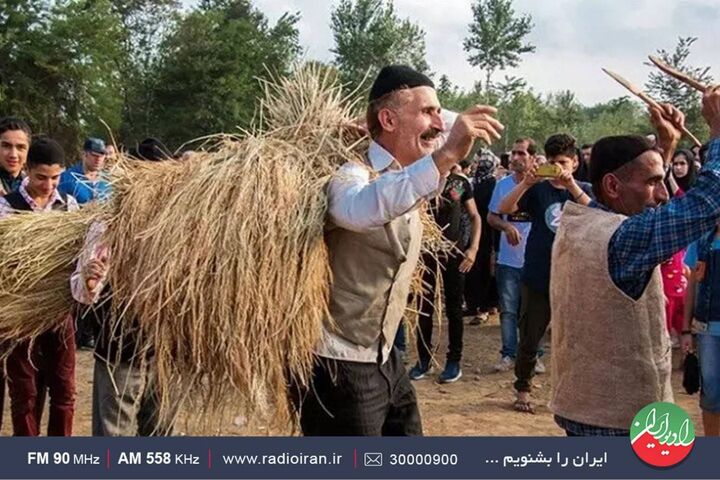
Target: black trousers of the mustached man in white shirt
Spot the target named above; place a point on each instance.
(358, 399)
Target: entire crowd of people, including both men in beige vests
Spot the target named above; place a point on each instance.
(528, 228)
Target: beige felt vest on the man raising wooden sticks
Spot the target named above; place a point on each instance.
(611, 355)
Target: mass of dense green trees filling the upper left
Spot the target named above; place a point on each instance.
(143, 66)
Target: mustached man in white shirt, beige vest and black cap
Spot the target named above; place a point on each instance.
(373, 232)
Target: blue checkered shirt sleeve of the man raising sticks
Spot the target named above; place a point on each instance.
(644, 241)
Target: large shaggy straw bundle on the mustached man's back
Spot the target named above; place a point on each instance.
(222, 261)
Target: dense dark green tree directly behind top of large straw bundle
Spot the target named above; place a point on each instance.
(207, 79)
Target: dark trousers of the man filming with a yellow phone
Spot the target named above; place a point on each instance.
(534, 320)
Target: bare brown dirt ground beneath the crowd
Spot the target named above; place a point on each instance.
(479, 404)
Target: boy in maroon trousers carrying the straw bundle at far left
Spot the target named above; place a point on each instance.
(50, 359)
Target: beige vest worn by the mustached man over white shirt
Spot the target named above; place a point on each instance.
(372, 272)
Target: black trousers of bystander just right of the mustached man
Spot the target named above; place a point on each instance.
(453, 284)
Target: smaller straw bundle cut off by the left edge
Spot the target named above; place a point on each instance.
(39, 252)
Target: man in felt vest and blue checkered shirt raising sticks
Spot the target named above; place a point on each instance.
(611, 354)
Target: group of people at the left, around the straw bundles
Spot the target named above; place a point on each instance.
(34, 179)
